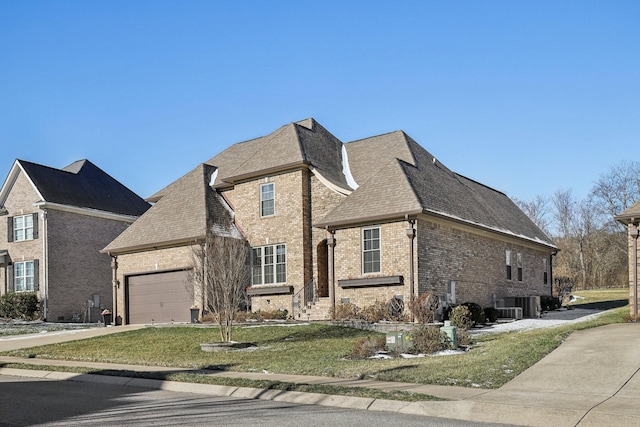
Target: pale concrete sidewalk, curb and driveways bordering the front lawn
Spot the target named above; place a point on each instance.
(590, 380)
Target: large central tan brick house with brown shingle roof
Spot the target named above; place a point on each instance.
(329, 223)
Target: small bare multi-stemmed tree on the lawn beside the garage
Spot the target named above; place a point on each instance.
(220, 276)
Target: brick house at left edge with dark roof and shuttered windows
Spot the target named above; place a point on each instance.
(55, 223)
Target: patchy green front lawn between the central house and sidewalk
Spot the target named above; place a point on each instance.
(320, 349)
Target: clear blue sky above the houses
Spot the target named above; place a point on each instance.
(528, 97)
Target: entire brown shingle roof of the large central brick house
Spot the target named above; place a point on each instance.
(395, 177)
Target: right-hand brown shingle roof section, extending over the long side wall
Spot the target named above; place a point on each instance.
(398, 177)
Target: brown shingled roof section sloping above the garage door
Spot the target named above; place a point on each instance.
(179, 217)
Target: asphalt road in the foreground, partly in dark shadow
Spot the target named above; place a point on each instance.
(29, 402)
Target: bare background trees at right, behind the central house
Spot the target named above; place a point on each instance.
(593, 246)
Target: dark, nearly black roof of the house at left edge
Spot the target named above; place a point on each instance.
(83, 184)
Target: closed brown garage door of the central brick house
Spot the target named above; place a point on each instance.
(158, 298)
